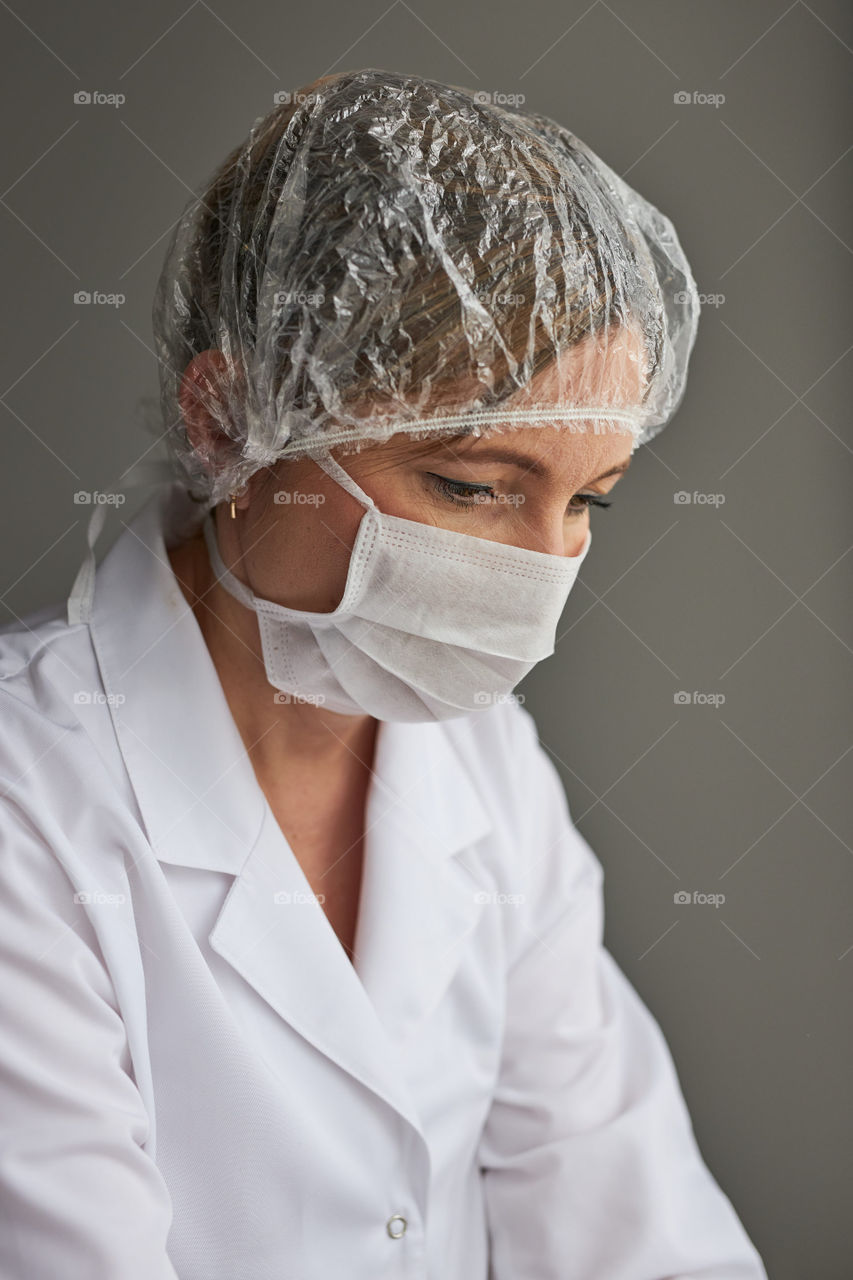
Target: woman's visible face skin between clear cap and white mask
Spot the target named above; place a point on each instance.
(526, 487)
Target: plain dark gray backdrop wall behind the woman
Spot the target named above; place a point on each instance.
(747, 597)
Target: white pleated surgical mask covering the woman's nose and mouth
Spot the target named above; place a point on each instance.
(434, 624)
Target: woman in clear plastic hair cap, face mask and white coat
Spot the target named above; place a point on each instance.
(305, 966)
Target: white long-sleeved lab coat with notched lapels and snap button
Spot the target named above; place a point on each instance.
(197, 1082)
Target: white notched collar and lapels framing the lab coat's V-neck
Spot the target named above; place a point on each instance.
(203, 808)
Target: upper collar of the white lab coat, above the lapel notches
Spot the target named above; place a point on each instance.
(194, 781)
